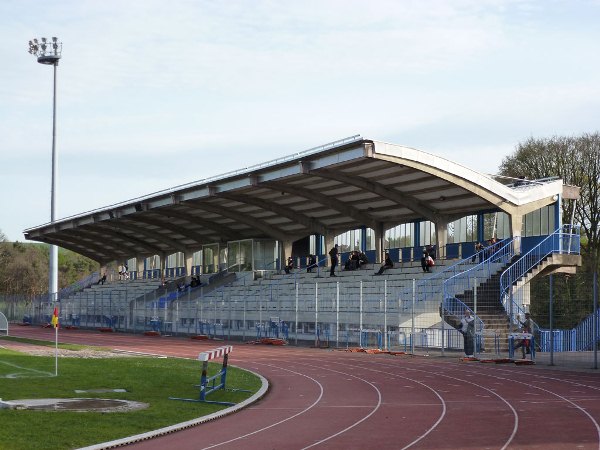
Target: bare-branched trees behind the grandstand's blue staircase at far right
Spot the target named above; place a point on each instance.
(577, 161)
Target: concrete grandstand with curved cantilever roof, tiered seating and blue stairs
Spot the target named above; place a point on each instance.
(229, 256)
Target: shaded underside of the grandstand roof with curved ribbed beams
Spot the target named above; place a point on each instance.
(327, 192)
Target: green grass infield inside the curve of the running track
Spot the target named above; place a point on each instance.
(148, 380)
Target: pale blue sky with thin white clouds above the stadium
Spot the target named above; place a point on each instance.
(153, 94)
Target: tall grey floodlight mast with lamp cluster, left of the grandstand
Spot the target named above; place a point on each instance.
(49, 53)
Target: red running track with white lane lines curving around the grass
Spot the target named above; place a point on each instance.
(340, 400)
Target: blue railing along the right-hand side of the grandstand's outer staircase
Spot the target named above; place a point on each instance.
(565, 240)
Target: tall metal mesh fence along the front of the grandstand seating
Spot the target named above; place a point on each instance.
(353, 310)
